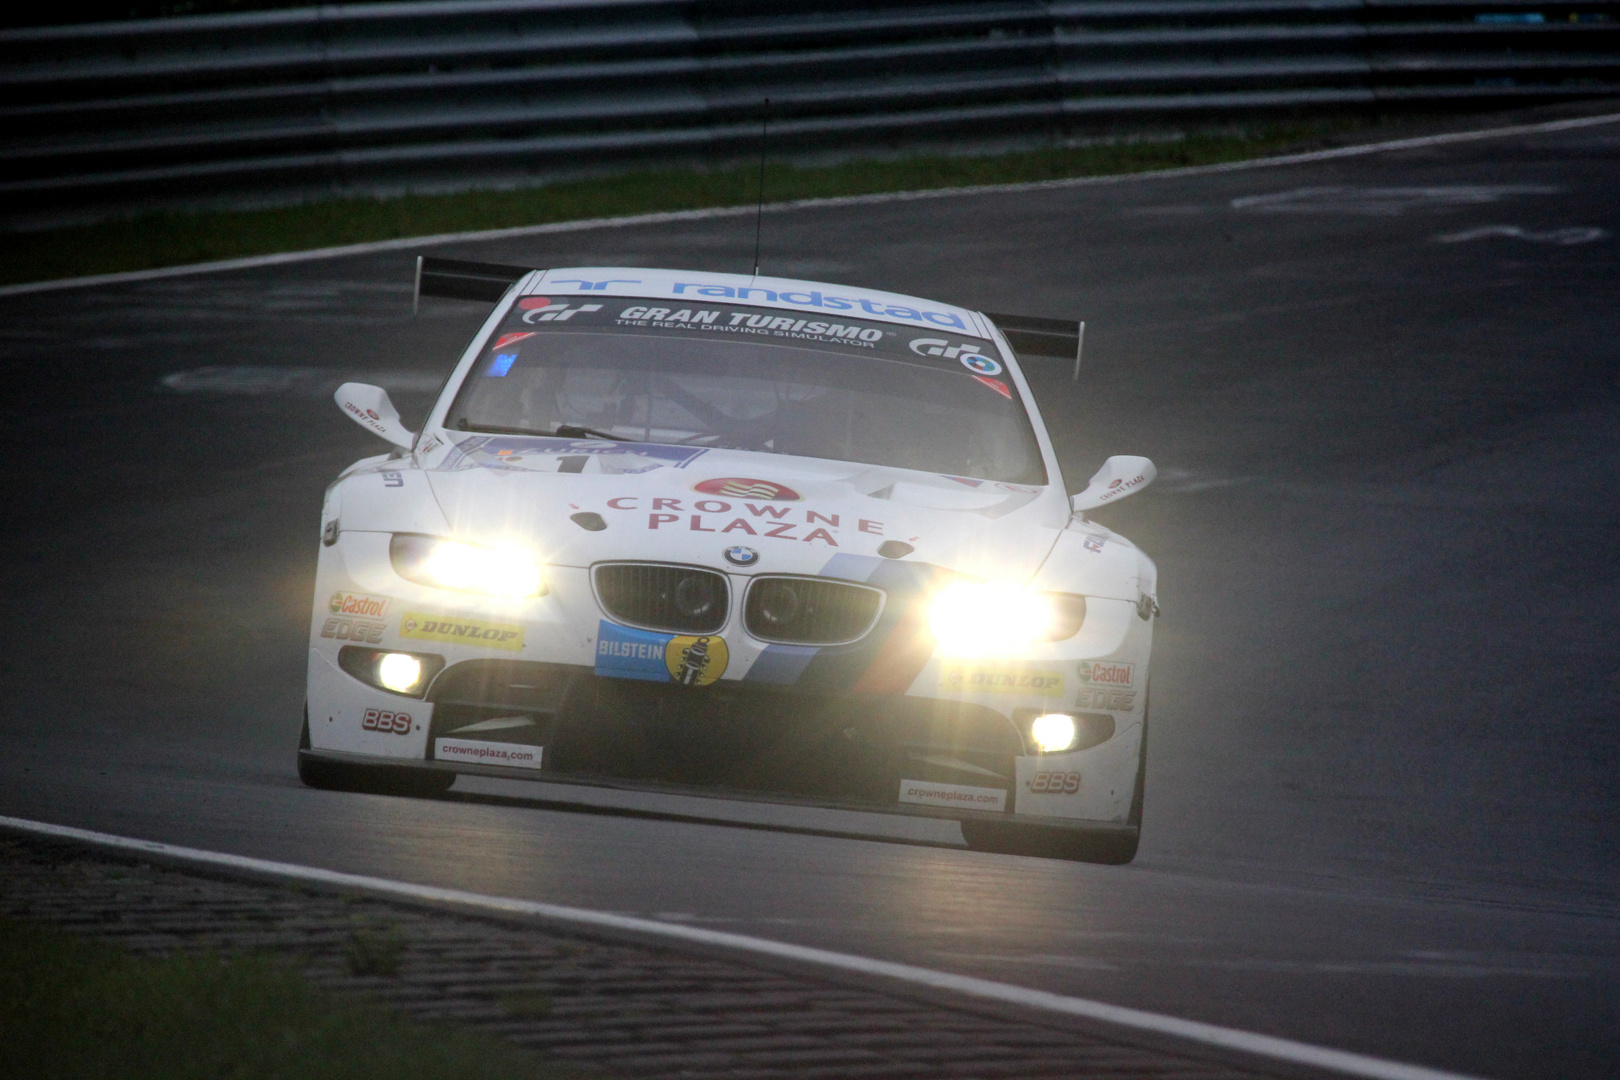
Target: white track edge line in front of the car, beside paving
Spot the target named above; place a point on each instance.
(1192, 1031)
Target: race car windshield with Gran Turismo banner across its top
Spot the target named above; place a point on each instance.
(752, 380)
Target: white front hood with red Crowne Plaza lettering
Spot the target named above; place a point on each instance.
(691, 504)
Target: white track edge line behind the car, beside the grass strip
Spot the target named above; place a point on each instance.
(799, 205)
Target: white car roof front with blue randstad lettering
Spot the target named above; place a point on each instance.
(821, 299)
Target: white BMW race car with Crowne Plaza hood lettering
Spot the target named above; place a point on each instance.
(759, 537)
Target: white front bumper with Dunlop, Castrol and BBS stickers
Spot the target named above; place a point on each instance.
(874, 726)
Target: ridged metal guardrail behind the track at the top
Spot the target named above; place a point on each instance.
(399, 95)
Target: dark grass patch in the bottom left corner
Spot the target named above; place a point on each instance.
(74, 1008)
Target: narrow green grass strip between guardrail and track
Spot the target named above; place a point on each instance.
(156, 240)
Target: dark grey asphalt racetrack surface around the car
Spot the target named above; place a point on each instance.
(1383, 396)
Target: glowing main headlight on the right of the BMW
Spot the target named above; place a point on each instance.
(994, 619)
